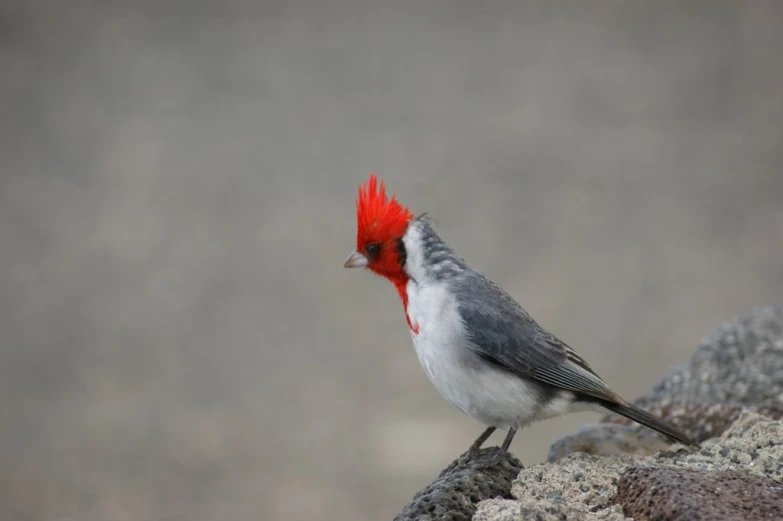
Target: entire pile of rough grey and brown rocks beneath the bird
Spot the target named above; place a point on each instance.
(735, 374)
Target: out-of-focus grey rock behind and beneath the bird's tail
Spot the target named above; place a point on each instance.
(738, 367)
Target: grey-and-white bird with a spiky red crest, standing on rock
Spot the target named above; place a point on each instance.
(479, 348)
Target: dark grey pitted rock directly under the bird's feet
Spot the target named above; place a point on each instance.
(454, 494)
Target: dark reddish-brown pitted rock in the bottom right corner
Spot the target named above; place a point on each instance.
(676, 494)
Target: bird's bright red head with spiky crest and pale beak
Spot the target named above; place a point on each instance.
(381, 224)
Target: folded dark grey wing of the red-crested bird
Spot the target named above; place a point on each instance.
(503, 333)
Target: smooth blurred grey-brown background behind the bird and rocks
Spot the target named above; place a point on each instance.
(179, 338)
